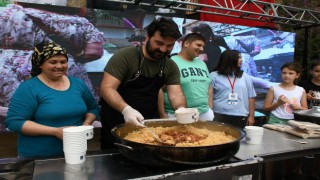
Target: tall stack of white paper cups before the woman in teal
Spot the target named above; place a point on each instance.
(74, 145)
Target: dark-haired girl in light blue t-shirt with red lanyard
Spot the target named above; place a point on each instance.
(233, 91)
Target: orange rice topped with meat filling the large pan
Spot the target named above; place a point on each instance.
(180, 136)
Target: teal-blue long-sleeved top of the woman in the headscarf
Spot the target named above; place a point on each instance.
(35, 101)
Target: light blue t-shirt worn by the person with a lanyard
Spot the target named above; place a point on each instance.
(221, 89)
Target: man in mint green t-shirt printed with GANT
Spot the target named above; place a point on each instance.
(194, 79)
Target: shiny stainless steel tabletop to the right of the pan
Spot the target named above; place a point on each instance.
(274, 147)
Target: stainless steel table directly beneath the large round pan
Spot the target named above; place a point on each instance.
(115, 166)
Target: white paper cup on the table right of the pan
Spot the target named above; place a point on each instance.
(253, 134)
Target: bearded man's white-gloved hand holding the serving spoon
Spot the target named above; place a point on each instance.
(132, 116)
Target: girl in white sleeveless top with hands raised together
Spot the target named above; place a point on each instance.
(286, 97)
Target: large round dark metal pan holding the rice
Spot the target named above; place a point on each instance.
(160, 155)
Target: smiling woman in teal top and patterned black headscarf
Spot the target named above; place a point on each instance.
(50, 101)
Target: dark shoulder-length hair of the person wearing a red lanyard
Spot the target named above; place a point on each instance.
(228, 63)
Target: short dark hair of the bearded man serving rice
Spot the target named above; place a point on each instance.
(166, 27)
